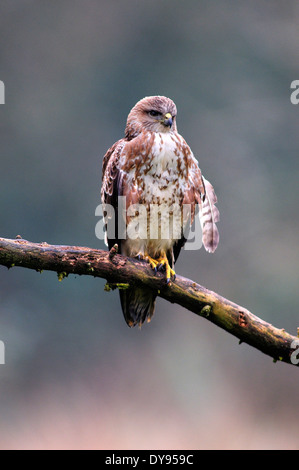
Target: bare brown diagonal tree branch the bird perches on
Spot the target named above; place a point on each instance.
(119, 271)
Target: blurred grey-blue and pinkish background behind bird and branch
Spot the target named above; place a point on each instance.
(76, 377)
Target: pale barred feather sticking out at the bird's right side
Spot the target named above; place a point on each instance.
(209, 215)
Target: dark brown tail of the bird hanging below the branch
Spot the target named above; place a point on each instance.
(138, 305)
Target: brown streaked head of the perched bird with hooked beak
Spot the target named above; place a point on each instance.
(154, 114)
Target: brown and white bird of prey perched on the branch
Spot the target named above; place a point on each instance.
(153, 166)
